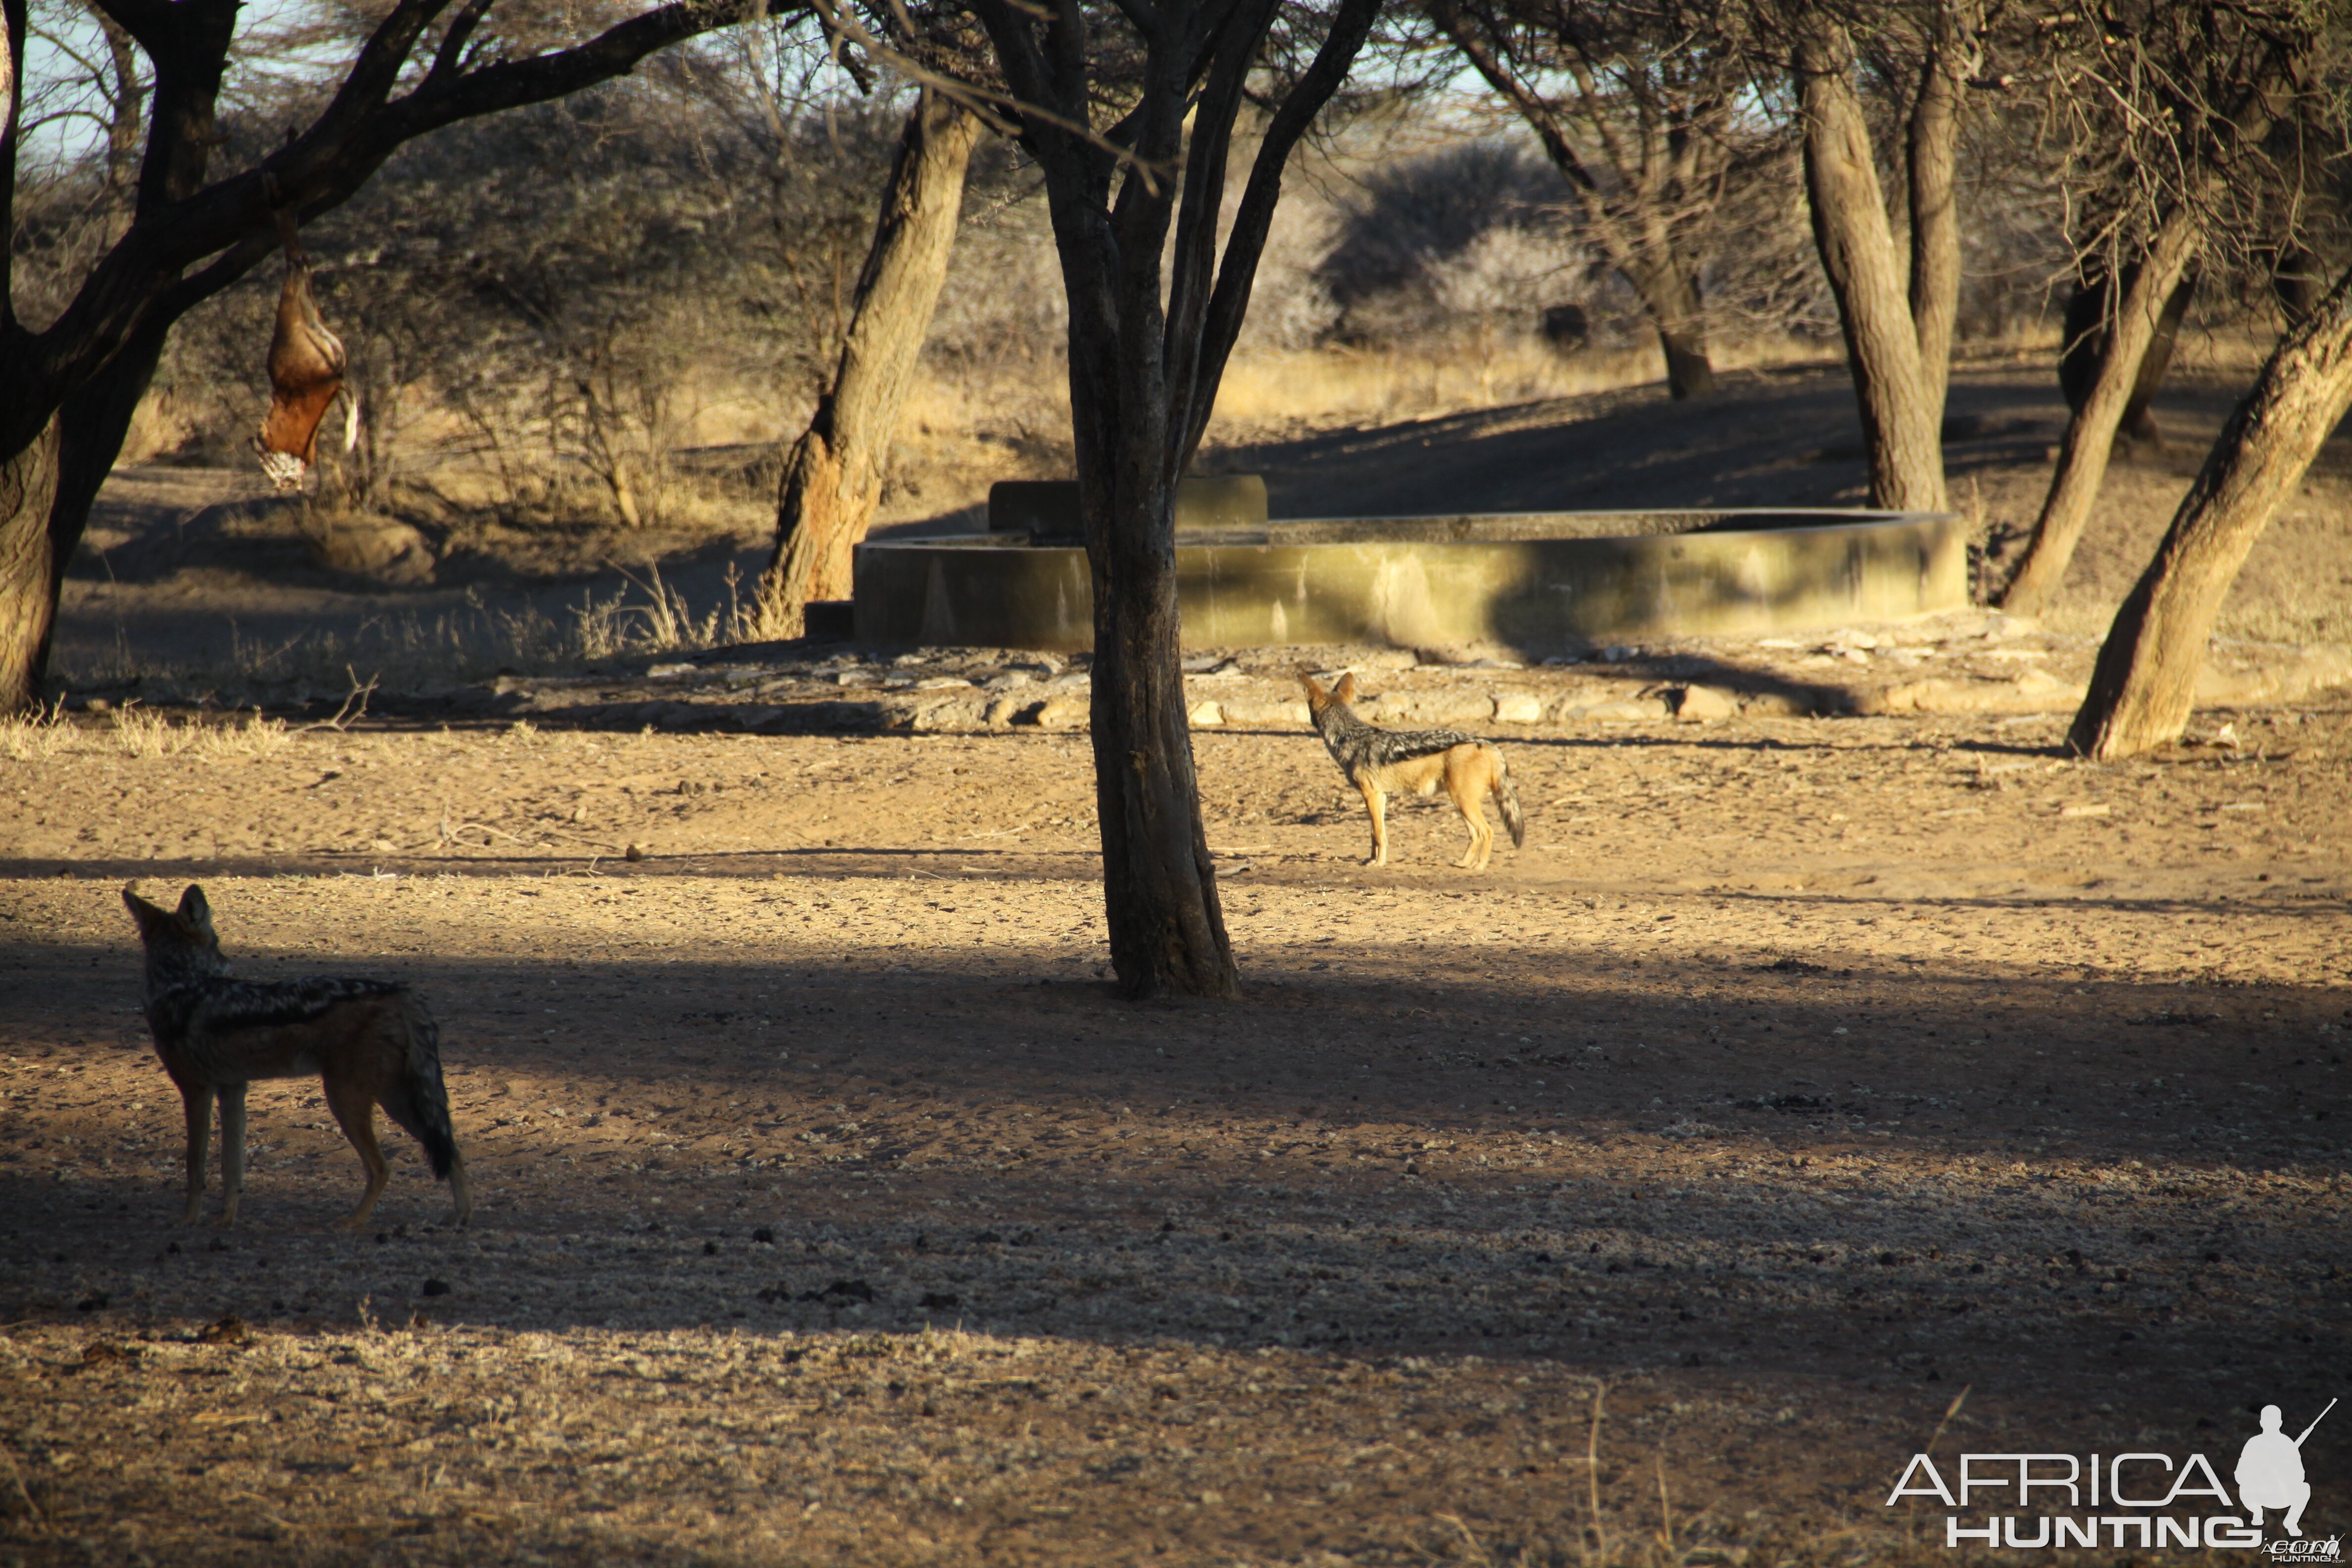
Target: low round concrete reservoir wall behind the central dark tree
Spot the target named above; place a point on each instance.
(1528, 582)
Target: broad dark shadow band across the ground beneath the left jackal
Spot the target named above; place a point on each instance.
(1633, 1165)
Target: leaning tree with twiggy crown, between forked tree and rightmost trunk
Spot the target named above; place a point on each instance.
(2170, 123)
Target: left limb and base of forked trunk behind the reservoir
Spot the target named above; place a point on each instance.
(1899, 394)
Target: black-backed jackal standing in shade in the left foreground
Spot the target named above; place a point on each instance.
(373, 1043)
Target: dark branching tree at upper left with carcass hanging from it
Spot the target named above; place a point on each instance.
(74, 382)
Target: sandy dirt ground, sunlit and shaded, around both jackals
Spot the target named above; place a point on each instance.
(1805, 1094)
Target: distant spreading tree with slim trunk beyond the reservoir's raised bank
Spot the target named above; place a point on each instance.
(1638, 109)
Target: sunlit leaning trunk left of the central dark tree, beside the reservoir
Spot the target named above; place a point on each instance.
(834, 478)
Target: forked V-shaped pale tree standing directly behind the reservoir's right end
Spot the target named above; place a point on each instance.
(1897, 319)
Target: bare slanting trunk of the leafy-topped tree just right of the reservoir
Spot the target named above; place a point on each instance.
(2090, 436)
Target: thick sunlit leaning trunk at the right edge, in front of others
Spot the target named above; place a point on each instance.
(2146, 676)
